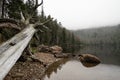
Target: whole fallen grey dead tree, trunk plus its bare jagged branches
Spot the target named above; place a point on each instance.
(12, 49)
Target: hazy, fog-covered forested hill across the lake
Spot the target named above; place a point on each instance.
(102, 35)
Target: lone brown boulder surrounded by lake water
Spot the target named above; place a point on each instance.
(89, 58)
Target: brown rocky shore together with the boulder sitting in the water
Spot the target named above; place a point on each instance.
(33, 67)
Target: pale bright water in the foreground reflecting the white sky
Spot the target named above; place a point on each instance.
(74, 70)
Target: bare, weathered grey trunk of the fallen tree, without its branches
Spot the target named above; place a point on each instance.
(12, 49)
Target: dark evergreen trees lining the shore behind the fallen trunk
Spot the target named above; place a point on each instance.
(52, 34)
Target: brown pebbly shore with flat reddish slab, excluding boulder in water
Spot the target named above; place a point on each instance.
(30, 69)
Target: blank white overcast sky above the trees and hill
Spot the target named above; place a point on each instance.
(82, 14)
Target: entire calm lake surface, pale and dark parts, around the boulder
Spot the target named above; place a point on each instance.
(72, 69)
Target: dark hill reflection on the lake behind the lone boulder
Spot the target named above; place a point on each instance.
(107, 54)
